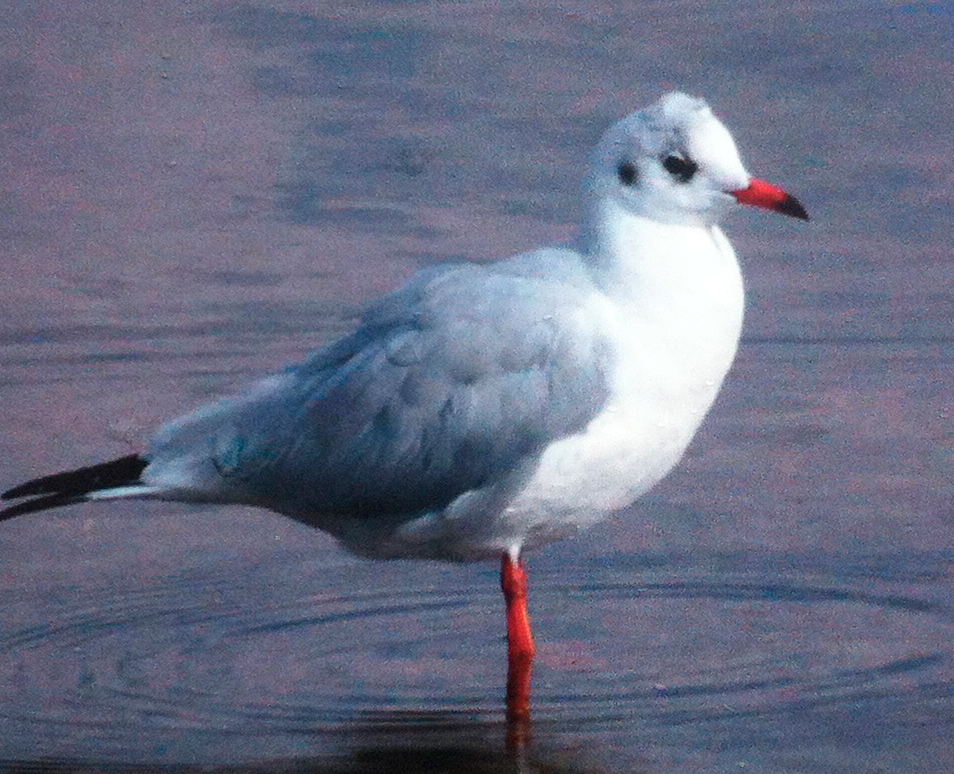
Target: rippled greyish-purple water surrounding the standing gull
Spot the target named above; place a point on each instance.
(192, 194)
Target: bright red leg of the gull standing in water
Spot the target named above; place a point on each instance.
(520, 647)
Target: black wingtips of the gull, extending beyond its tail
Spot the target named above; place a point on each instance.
(72, 486)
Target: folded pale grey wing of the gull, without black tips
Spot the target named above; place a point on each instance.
(459, 377)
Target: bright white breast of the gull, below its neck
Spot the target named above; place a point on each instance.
(674, 330)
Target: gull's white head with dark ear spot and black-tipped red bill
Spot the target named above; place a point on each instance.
(674, 162)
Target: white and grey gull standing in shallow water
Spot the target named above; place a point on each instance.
(483, 410)
